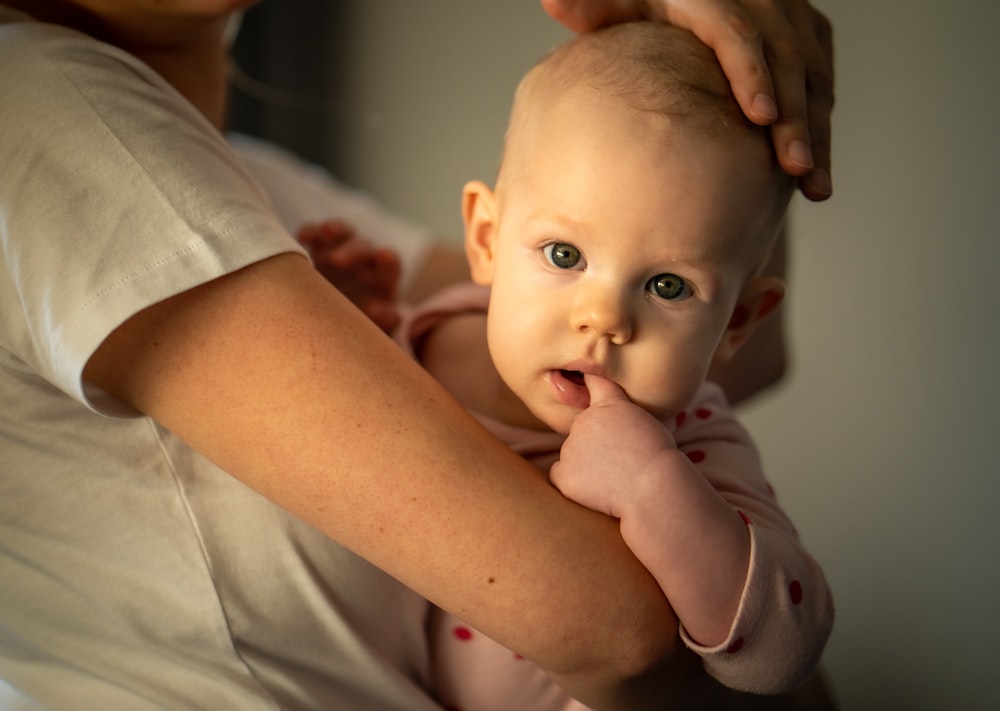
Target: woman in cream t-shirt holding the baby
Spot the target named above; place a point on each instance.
(192, 415)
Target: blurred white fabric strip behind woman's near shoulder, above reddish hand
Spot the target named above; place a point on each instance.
(306, 193)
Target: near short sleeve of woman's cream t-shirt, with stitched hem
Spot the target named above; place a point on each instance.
(115, 194)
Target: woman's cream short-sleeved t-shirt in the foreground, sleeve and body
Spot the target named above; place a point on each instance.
(133, 573)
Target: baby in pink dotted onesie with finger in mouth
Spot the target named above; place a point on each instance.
(617, 258)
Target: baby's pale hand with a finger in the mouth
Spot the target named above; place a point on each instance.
(610, 444)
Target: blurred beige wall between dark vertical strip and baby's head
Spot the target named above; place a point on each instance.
(432, 85)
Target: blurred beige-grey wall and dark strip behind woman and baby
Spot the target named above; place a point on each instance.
(879, 440)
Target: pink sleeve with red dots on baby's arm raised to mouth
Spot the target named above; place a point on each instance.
(786, 611)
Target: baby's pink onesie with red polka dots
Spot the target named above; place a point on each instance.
(785, 613)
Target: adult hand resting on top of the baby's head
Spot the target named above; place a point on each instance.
(778, 55)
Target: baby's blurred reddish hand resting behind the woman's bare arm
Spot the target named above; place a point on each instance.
(365, 274)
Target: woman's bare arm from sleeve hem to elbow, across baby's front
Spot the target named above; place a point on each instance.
(274, 376)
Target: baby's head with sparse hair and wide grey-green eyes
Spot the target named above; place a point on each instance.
(634, 208)
